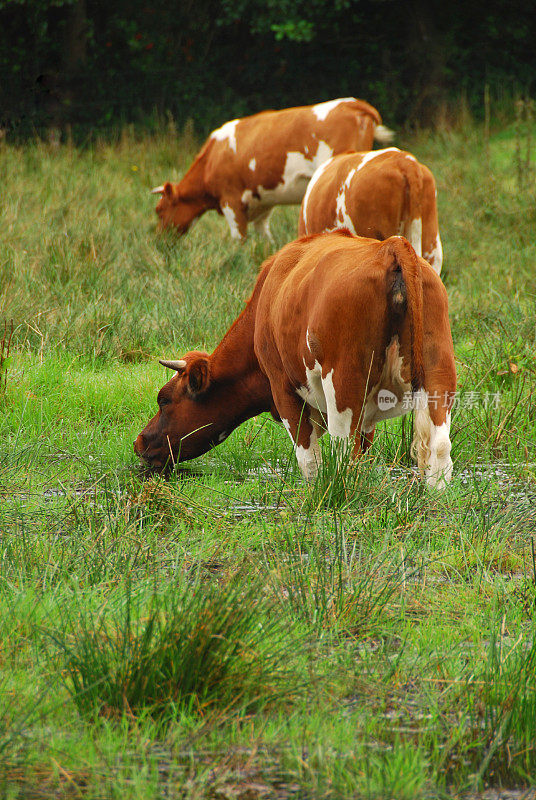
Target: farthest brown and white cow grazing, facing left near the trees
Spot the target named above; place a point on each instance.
(251, 164)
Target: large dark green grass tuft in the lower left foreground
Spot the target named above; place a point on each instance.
(205, 646)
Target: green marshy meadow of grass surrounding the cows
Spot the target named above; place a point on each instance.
(231, 632)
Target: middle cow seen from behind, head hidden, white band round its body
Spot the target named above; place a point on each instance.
(380, 194)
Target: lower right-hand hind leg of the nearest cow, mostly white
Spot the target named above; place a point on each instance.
(431, 441)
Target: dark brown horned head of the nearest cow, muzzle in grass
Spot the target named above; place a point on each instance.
(192, 415)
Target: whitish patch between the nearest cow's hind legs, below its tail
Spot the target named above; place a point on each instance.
(391, 387)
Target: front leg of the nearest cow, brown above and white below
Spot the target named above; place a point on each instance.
(303, 431)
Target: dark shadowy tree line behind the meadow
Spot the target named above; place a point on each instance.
(94, 63)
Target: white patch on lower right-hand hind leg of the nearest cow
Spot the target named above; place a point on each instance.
(431, 444)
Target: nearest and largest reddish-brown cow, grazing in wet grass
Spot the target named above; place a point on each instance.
(339, 333)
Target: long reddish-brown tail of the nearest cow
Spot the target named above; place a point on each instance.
(405, 299)
